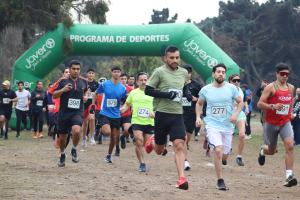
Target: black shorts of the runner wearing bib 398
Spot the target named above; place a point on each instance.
(65, 124)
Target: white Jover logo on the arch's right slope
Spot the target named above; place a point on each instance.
(199, 54)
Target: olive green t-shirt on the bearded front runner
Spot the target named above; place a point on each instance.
(165, 80)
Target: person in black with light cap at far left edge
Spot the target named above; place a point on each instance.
(7, 96)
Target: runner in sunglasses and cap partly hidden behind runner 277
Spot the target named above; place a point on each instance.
(240, 124)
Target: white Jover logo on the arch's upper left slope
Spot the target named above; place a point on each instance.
(40, 54)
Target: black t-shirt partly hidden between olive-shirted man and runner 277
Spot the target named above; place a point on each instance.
(189, 107)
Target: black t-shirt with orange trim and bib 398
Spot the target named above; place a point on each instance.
(71, 102)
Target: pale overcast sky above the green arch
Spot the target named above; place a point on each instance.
(137, 12)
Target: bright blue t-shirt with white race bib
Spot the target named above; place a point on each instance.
(112, 94)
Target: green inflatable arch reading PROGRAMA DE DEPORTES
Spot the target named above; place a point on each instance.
(105, 40)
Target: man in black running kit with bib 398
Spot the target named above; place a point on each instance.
(73, 92)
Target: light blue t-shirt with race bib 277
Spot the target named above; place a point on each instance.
(219, 105)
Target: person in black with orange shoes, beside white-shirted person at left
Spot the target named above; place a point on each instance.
(39, 104)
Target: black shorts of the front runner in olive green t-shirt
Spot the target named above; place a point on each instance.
(166, 123)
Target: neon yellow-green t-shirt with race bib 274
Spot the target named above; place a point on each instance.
(142, 106)
